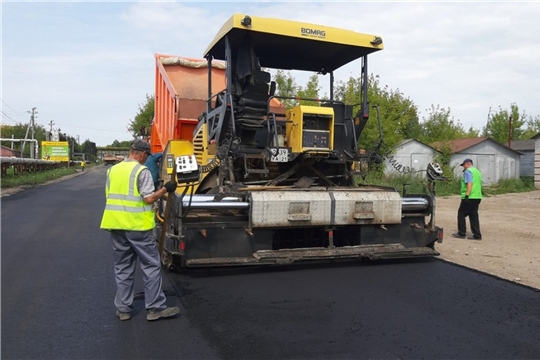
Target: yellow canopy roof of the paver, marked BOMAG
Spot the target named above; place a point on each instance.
(284, 44)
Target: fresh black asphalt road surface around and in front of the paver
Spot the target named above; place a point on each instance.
(58, 290)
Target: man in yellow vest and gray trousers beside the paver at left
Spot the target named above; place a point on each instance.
(128, 216)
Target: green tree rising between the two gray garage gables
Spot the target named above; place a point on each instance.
(440, 126)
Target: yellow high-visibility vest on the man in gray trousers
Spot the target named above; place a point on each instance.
(125, 208)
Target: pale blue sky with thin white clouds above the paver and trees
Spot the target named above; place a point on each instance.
(89, 65)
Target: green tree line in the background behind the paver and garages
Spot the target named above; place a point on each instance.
(399, 114)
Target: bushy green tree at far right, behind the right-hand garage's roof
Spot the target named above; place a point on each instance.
(506, 125)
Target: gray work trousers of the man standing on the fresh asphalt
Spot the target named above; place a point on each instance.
(128, 246)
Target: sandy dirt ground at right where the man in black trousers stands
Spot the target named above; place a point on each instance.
(510, 245)
